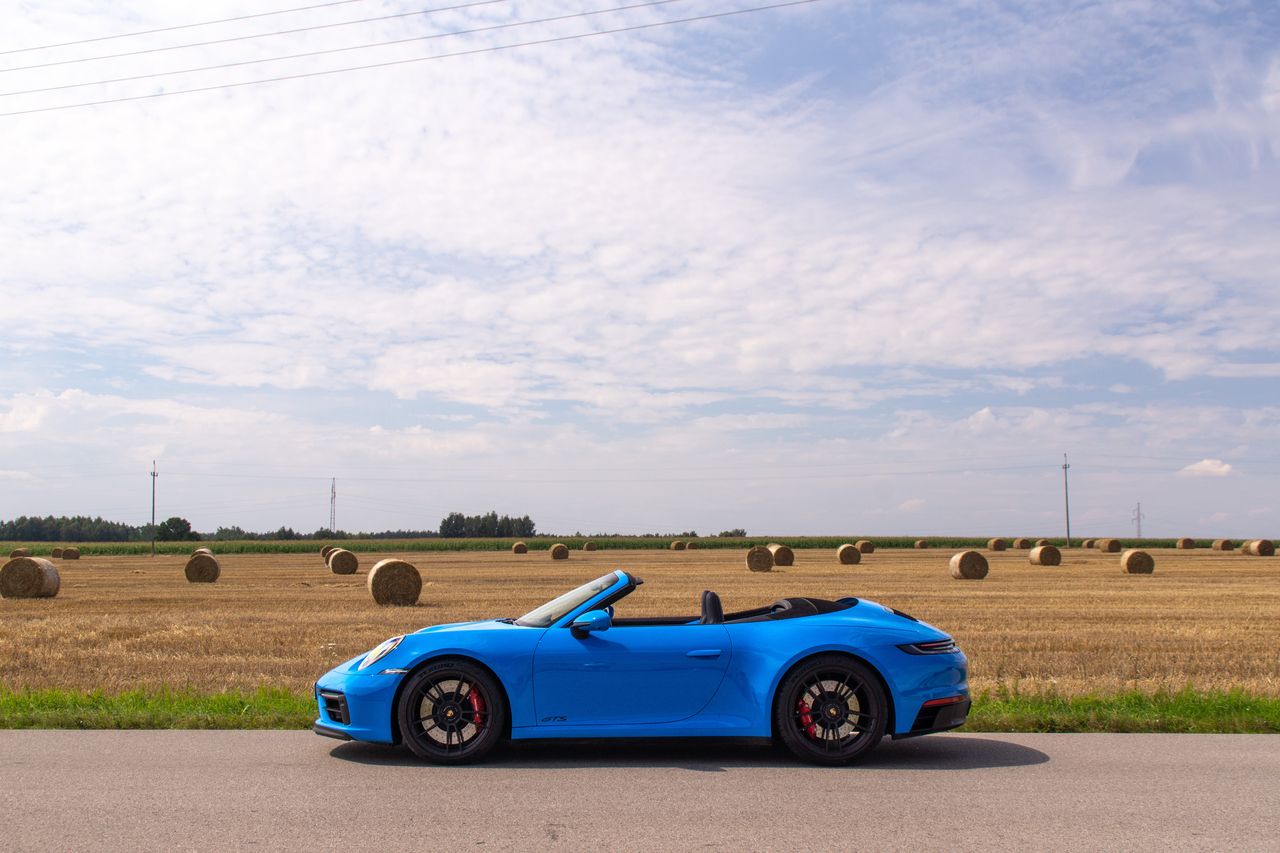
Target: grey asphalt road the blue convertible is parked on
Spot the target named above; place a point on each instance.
(271, 791)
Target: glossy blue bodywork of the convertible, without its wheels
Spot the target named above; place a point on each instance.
(652, 681)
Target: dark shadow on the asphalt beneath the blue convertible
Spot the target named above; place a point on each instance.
(939, 752)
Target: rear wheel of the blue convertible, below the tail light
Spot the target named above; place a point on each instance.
(831, 710)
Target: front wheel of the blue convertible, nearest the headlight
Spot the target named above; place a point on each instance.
(452, 713)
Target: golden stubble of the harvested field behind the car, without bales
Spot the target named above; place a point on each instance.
(1206, 619)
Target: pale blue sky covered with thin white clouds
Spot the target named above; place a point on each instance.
(830, 268)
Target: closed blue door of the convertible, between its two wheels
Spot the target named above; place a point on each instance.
(629, 676)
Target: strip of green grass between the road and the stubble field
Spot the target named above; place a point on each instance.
(1186, 711)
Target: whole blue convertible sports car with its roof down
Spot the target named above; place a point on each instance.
(826, 678)
